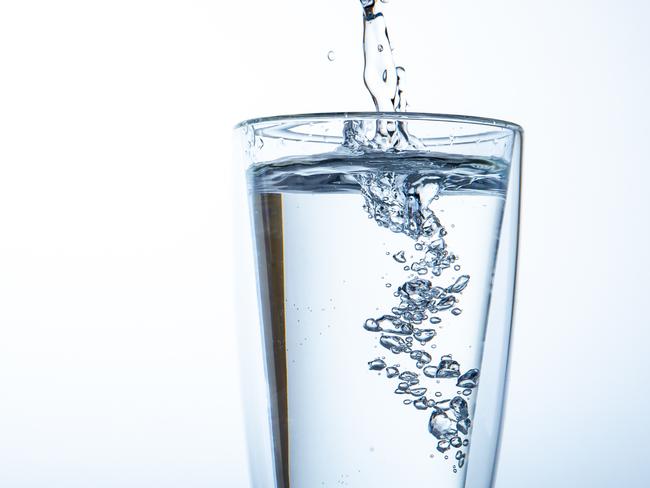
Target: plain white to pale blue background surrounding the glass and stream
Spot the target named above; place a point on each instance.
(118, 349)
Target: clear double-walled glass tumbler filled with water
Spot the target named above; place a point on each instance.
(375, 345)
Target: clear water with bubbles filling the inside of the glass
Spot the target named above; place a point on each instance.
(331, 262)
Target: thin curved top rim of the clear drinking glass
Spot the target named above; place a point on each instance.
(433, 117)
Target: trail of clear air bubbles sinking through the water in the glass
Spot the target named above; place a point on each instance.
(402, 204)
